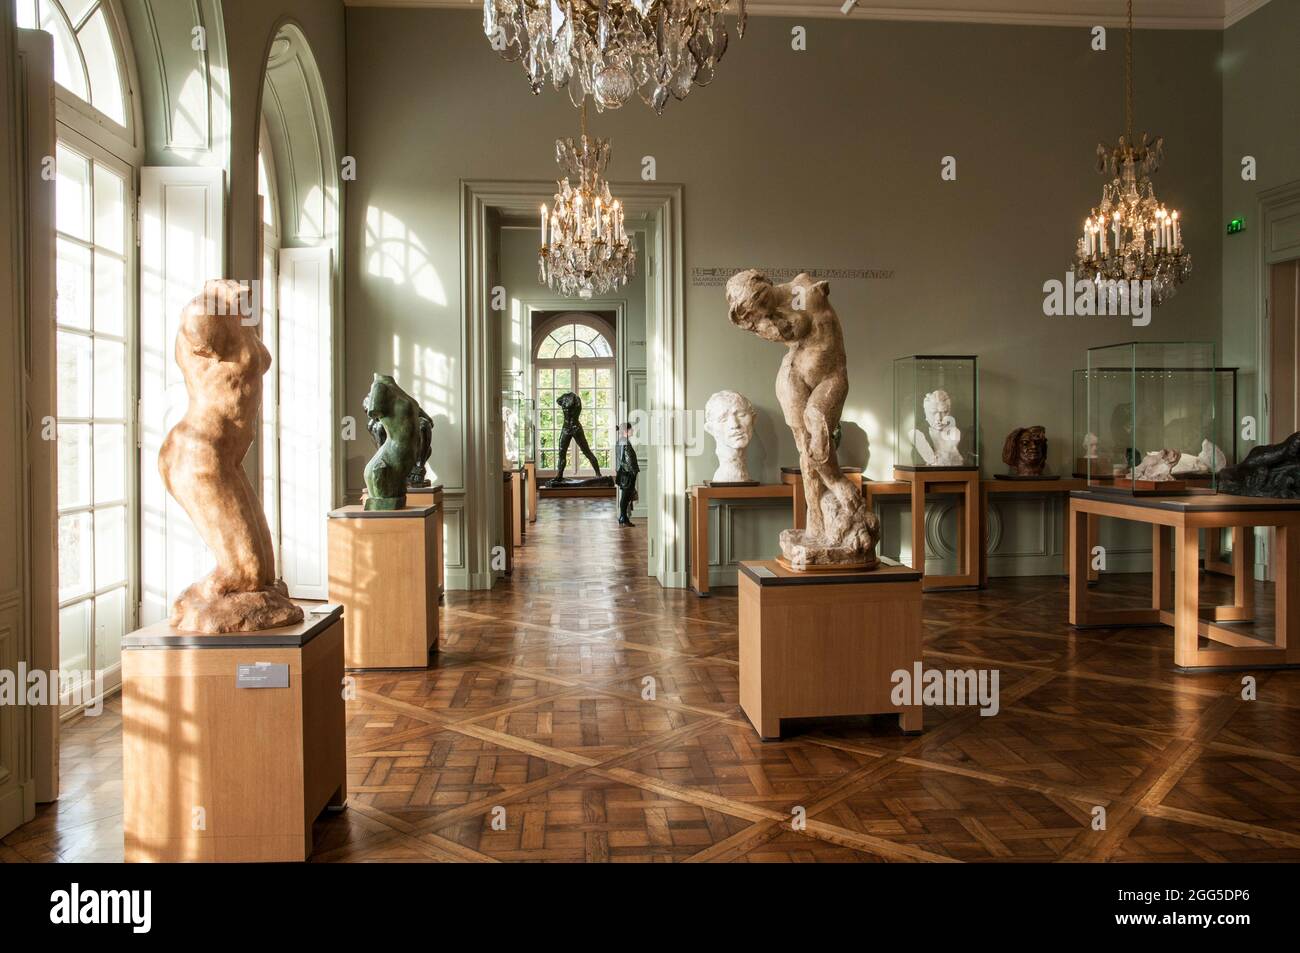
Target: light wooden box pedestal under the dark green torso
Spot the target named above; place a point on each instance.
(384, 571)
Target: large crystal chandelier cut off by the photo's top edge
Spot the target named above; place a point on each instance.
(612, 49)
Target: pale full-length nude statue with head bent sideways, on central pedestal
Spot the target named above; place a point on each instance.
(812, 387)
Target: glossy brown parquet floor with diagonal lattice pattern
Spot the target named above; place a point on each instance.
(535, 738)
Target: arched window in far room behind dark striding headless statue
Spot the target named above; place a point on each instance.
(575, 357)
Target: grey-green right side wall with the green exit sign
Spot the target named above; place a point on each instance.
(1262, 119)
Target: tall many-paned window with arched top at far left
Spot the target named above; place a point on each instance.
(96, 335)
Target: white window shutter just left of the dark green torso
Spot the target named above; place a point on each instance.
(306, 419)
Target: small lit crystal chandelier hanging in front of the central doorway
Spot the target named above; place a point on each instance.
(586, 249)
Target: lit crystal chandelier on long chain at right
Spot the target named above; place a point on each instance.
(1132, 236)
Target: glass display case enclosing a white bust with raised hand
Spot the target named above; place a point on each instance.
(937, 413)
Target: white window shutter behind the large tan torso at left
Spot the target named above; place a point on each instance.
(181, 232)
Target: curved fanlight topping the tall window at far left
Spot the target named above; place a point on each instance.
(88, 57)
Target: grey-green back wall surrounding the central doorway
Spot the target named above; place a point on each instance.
(829, 158)
